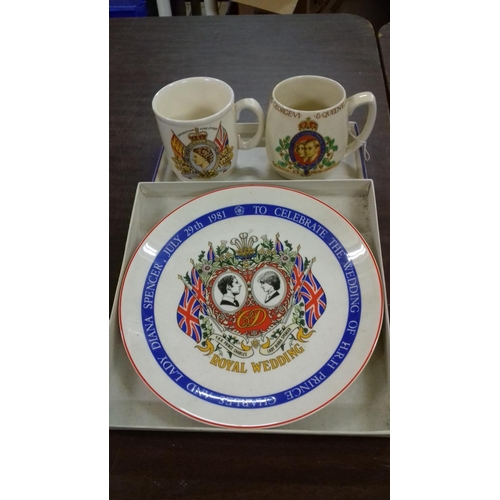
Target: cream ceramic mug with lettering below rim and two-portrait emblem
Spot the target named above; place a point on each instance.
(307, 126)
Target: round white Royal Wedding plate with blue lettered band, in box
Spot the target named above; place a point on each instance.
(251, 307)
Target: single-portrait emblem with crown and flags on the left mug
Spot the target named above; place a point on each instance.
(202, 158)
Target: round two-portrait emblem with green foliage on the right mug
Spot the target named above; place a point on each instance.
(307, 152)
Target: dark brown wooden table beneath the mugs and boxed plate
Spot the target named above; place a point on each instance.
(252, 54)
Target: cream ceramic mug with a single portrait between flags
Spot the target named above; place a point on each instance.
(197, 122)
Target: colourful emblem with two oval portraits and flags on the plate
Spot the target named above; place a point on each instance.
(250, 296)
